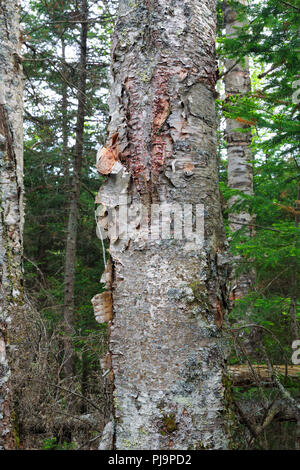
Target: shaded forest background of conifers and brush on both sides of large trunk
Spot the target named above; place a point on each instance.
(59, 407)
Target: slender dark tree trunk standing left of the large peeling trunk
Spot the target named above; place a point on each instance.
(70, 259)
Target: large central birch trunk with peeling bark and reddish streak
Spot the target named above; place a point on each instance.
(169, 300)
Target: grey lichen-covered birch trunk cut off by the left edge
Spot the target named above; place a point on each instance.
(11, 201)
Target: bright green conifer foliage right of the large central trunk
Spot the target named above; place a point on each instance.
(270, 38)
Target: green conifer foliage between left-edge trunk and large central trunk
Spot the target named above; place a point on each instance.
(51, 61)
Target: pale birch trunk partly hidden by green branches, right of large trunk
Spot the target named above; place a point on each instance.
(240, 169)
